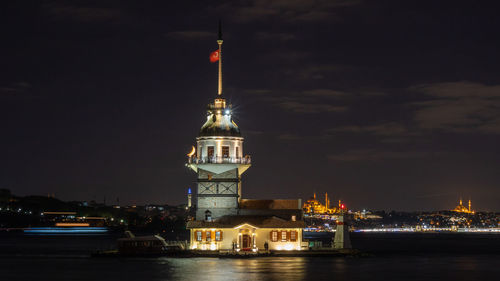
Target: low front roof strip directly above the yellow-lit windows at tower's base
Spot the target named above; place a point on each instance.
(257, 221)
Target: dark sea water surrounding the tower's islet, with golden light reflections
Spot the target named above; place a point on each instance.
(393, 256)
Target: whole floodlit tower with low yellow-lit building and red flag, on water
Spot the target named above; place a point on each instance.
(224, 221)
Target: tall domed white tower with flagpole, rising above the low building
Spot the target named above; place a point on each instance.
(218, 161)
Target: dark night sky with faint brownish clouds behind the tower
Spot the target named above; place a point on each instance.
(383, 104)
